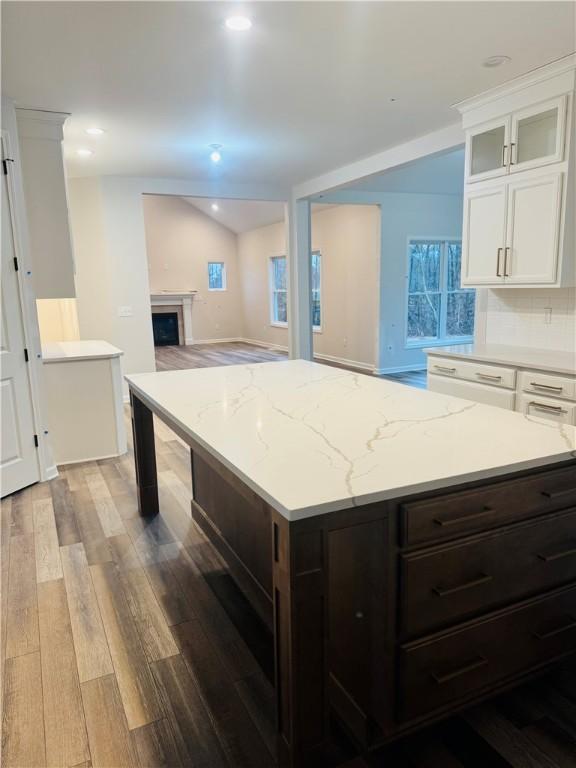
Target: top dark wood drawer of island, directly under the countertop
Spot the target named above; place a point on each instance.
(442, 518)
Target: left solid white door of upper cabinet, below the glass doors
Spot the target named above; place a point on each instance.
(483, 236)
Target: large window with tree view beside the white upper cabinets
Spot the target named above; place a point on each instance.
(439, 309)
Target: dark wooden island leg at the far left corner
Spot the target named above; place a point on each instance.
(144, 457)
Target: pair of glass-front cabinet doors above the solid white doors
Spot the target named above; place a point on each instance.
(525, 139)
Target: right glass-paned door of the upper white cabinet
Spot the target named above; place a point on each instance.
(538, 135)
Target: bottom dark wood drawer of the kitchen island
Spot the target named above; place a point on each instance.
(442, 670)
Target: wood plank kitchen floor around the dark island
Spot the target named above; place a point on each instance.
(126, 643)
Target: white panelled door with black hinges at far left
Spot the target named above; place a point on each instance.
(18, 454)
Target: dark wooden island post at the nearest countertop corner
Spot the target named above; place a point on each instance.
(300, 638)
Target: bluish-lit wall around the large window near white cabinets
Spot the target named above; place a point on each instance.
(406, 216)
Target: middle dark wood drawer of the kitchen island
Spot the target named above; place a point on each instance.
(449, 584)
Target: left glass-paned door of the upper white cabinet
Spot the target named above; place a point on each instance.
(487, 150)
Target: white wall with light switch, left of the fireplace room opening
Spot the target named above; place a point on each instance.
(107, 221)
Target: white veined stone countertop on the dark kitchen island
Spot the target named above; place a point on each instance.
(312, 439)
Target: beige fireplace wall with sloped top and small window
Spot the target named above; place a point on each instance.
(180, 241)
